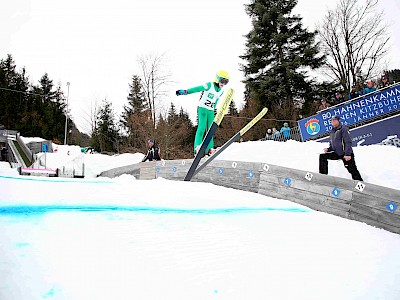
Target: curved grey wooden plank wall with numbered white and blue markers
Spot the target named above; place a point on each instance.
(354, 200)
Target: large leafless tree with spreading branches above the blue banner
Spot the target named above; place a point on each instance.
(354, 39)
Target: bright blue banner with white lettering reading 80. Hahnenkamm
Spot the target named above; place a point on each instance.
(352, 112)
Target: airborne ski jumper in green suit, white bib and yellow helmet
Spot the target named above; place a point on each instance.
(211, 92)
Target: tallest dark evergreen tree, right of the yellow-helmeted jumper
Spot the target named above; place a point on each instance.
(278, 53)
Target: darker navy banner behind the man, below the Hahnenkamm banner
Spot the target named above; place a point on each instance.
(385, 132)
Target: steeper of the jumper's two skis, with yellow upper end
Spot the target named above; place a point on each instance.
(223, 108)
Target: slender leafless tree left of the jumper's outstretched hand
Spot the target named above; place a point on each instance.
(155, 79)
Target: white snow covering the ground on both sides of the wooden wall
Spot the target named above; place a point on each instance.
(121, 238)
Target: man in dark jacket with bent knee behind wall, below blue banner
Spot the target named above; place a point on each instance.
(339, 148)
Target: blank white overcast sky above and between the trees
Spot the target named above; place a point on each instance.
(95, 44)
